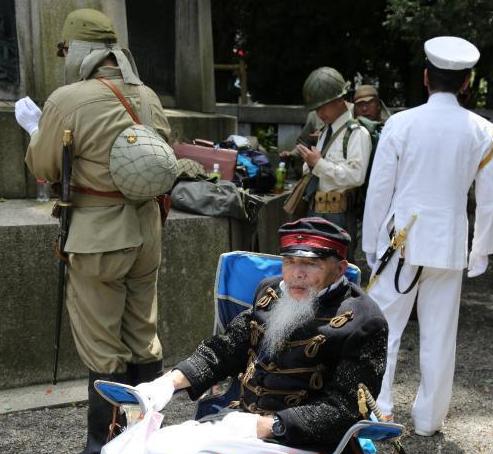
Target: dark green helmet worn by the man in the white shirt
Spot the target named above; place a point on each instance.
(322, 86)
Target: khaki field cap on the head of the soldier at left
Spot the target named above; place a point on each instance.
(88, 25)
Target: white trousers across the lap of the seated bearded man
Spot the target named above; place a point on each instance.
(192, 437)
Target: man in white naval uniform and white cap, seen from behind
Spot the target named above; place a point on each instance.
(426, 161)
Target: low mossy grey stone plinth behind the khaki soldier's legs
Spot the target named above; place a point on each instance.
(28, 284)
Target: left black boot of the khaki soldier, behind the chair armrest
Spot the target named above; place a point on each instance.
(99, 413)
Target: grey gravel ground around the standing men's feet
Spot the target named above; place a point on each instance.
(468, 429)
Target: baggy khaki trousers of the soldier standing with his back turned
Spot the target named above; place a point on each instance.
(112, 303)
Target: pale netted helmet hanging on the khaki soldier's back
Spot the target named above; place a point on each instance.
(142, 164)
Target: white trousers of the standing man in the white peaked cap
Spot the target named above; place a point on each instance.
(438, 293)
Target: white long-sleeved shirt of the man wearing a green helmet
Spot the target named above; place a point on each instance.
(335, 172)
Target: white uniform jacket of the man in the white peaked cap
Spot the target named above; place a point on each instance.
(426, 160)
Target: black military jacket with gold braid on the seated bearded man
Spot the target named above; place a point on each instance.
(311, 383)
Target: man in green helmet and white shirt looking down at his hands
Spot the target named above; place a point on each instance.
(339, 169)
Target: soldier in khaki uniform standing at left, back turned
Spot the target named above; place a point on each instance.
(114, 244)
